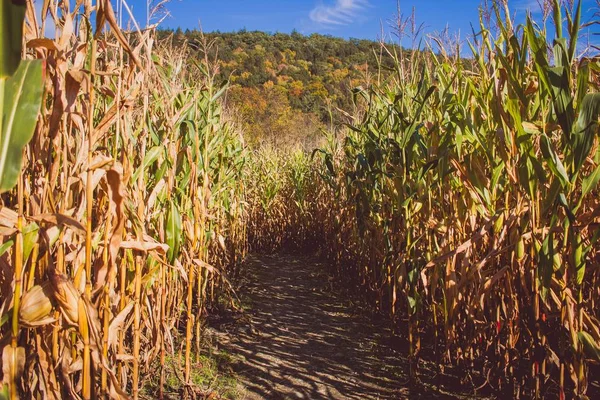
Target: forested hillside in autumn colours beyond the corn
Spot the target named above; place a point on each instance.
(285, 87)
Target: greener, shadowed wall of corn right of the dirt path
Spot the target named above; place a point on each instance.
(464, 202)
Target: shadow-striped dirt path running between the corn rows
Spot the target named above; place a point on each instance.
(304, 342)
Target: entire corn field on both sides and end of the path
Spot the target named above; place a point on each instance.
(461, 200)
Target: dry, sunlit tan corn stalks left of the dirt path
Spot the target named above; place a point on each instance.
(127, 214)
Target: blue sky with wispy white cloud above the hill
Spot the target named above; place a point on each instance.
(345, 18)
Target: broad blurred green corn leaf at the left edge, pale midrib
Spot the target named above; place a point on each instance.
(22, 102)
